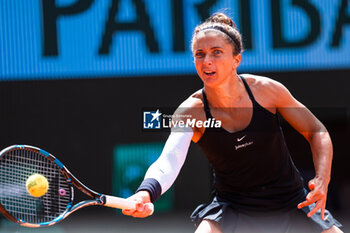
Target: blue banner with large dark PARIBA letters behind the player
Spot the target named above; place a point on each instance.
(65, 39)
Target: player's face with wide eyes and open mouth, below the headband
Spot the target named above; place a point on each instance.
(213, 57)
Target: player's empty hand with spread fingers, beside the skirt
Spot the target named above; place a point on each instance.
(318, 195)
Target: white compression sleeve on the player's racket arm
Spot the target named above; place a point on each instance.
(166, 168)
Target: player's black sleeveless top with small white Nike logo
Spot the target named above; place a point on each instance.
(252, 168)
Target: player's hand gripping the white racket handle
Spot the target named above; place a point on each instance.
(143, 206)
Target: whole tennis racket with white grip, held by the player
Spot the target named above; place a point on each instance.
(19, 162)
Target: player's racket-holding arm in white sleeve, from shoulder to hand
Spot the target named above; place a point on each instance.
(163, 172)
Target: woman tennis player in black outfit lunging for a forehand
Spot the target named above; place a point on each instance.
(257, 186)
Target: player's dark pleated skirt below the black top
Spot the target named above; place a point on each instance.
(290, 221)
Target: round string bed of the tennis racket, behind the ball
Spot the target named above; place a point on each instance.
(15, 168)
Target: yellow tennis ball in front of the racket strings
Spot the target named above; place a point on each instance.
(37, 185)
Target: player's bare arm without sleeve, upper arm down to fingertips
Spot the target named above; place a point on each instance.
(301, 119)
